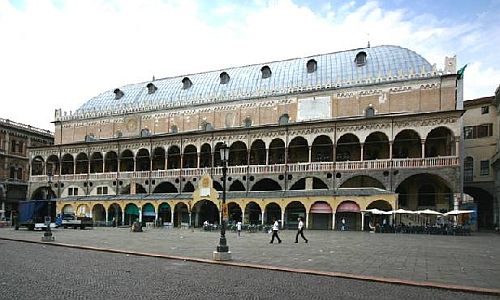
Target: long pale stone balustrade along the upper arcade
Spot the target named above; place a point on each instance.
(400, 163)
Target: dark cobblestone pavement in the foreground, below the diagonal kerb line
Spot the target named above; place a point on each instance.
(39, 271)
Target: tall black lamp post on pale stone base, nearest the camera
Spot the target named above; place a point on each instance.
(223, 252)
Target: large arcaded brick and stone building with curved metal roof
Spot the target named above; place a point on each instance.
(322, 137)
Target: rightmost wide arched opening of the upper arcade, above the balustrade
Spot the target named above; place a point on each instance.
(439, 142)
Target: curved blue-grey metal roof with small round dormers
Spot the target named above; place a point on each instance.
(334, 70)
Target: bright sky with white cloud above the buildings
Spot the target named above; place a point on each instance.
(58, 54)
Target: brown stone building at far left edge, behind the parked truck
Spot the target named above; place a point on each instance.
(15, 138)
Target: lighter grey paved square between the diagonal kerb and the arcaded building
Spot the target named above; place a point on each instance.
(472, 261)
